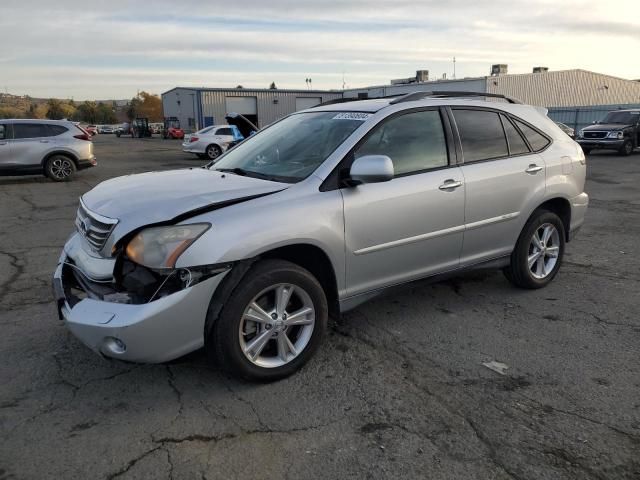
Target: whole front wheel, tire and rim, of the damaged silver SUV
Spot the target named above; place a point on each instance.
(272, 324)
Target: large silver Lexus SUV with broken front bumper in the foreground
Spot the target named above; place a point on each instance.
(312, 216)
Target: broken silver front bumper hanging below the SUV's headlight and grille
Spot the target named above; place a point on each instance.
(161, 329)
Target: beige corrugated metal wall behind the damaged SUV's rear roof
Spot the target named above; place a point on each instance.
(566, 88)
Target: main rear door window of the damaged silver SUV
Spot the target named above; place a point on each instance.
(481, 135)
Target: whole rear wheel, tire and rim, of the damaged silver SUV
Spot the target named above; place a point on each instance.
(536, 259)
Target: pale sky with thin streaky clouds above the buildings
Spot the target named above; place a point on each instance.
(112, 49)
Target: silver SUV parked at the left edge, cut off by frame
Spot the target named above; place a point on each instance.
(50, 147)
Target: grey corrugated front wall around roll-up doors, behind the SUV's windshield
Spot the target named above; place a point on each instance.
(271, 104)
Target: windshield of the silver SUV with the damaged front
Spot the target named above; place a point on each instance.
(291, 149)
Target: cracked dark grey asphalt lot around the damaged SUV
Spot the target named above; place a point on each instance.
(397, 390)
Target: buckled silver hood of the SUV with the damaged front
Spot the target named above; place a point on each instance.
(155, 197)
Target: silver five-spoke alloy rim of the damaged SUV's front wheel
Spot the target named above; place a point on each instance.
(277, 325)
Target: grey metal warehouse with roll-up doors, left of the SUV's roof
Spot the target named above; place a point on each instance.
(200, 107)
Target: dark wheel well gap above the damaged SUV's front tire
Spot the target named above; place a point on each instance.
(316, 261)
